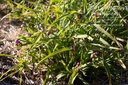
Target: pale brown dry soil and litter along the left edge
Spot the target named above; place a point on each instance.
(9, 31)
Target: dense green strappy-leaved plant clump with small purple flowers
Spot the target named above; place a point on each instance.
(72, 39)
